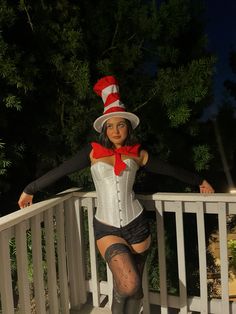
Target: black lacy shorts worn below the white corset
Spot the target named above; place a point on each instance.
(135, 232)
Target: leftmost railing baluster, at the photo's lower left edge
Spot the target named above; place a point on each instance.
(6, 292)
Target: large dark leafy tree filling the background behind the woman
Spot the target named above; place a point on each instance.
(52, 54)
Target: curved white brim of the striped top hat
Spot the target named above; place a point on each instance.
(99, 122)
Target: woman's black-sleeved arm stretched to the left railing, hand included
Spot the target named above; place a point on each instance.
(79, 161)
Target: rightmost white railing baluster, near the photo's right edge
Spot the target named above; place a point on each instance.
(223, 258)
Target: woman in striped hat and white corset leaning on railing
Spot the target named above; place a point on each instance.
(121, 228)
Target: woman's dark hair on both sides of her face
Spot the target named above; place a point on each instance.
(130, 139)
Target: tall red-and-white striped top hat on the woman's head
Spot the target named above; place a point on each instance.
(107, 88)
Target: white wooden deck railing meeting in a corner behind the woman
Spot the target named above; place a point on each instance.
(50, 243)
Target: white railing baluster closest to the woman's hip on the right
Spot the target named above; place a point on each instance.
(161, 256)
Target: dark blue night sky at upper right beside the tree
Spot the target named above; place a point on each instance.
(221, 31)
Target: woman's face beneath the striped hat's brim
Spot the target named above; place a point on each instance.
(117, 131)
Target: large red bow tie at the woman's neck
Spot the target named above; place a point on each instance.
(100, 151)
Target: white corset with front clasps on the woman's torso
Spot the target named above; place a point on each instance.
(117, 205)
